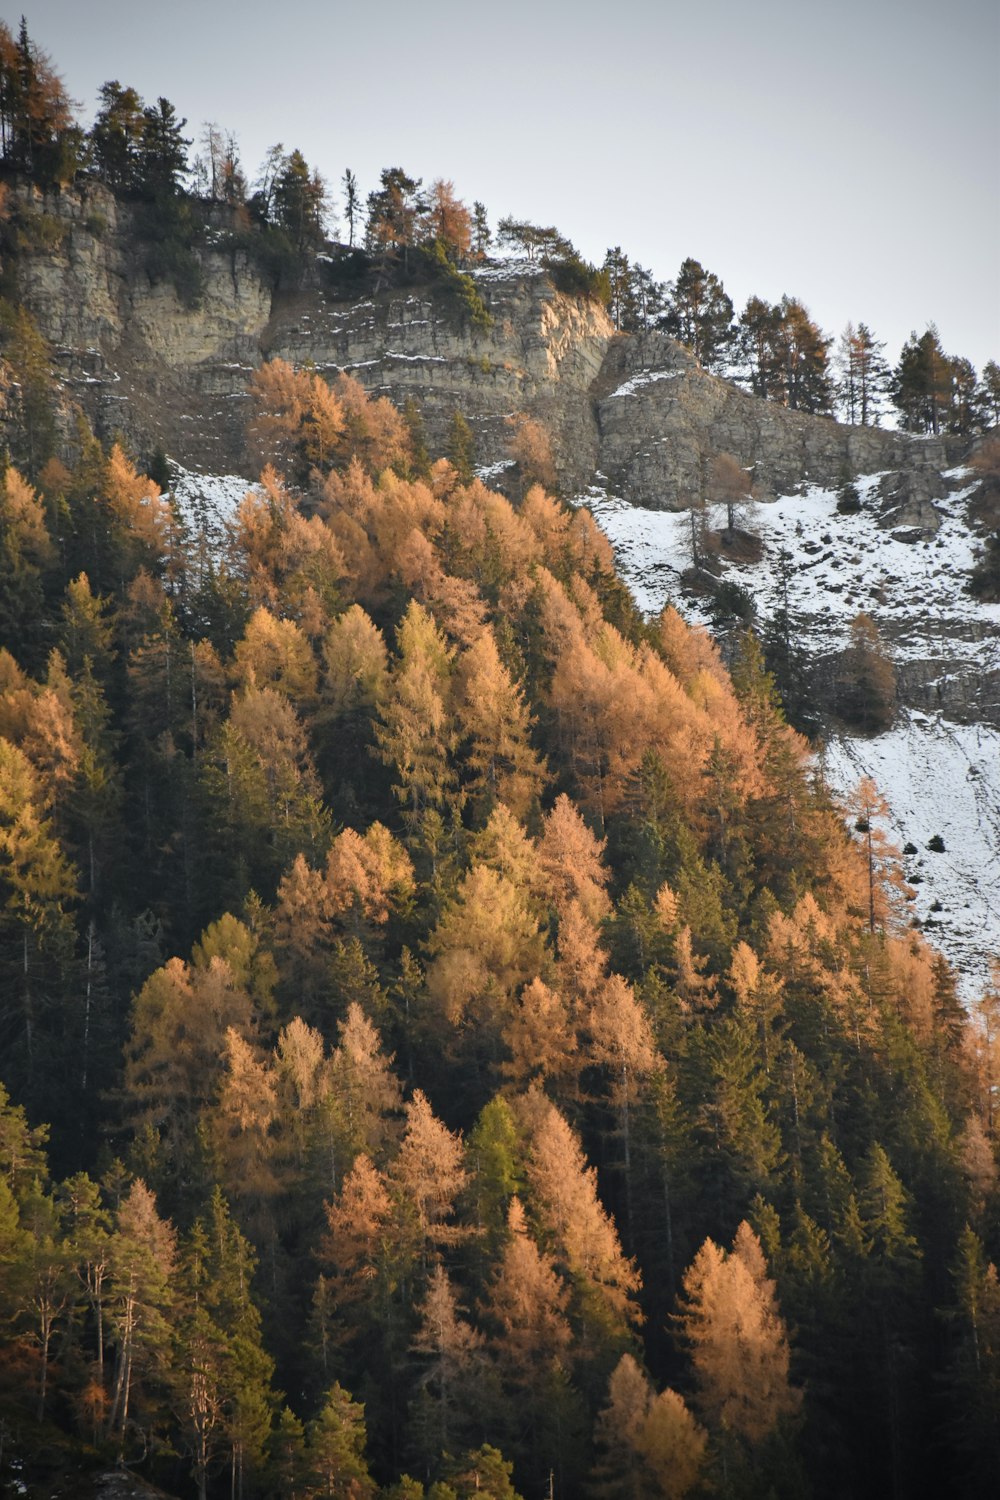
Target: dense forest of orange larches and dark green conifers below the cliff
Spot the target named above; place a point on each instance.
(449, 1040)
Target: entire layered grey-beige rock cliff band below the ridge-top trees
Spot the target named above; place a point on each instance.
(635, 412)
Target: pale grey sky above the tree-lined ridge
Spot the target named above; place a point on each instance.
(845, 154)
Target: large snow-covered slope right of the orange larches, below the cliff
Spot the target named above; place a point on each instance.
(941, 778)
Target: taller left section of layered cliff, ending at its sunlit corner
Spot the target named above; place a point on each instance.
(143, 364)
